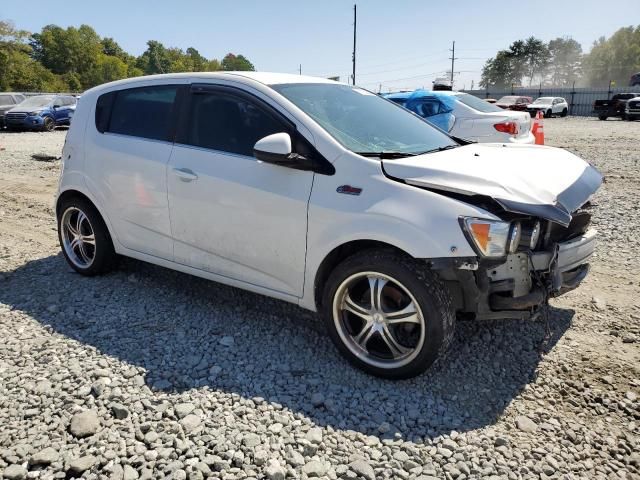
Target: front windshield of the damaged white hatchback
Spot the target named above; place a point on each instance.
(362, 121)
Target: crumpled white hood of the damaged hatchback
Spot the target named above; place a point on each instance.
(546, 182)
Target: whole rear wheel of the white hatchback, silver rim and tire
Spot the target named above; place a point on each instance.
(84, 237)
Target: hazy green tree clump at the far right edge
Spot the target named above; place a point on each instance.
(615, 58)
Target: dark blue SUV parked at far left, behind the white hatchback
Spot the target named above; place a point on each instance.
(41, 112)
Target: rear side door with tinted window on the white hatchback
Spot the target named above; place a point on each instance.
(130, 145)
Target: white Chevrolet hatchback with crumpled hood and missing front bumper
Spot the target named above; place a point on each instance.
(327, 196)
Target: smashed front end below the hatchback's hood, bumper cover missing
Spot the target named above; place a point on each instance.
(519, 283)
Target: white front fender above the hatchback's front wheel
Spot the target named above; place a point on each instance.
(419, 222)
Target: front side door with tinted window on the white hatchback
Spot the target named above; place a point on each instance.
(231, 214)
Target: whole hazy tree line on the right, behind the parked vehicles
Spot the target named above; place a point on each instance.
(561, 62)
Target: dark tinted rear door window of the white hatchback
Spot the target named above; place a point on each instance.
(143, 112)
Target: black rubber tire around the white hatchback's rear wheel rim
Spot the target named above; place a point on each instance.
(104, 257)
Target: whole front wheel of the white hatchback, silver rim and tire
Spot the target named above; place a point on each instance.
(388, 314)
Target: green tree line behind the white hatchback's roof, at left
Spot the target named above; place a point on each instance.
(75, 59)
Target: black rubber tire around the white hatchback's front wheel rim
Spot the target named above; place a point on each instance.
(432, 297)
